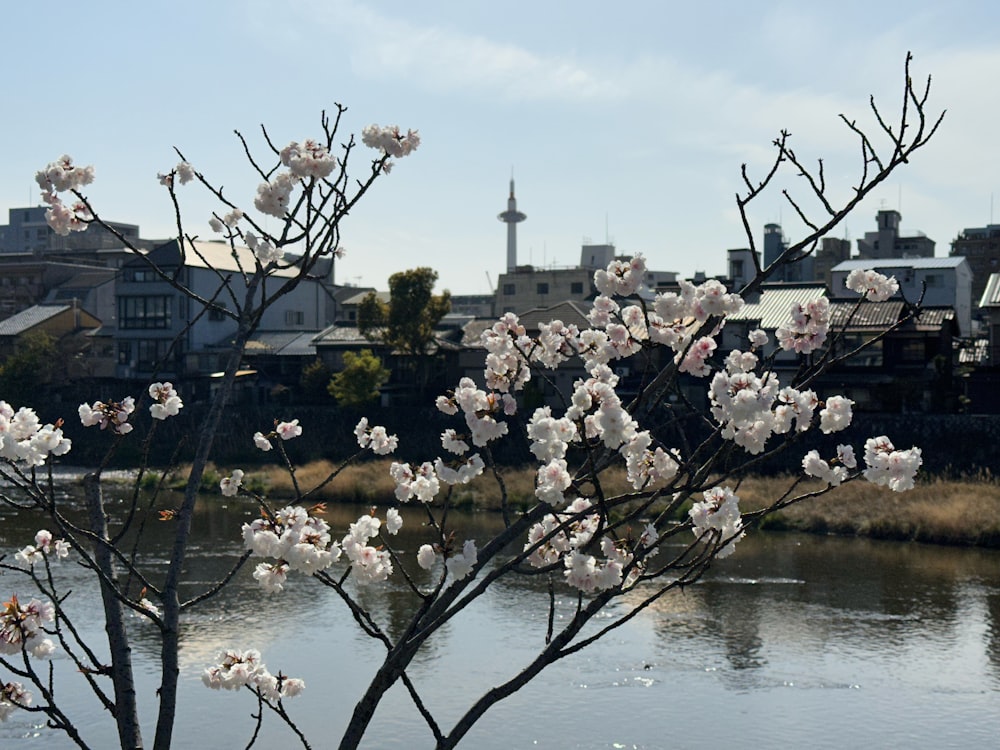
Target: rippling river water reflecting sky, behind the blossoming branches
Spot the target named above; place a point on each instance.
(793, 641)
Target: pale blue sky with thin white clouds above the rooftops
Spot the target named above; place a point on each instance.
(625, 122)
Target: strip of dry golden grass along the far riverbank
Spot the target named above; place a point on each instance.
(963, 511)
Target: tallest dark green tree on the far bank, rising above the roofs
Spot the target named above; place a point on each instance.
(406, 323)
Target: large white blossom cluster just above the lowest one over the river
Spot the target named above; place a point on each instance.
(296, 540)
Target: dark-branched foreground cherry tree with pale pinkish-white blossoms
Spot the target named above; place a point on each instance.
(683, 465)
